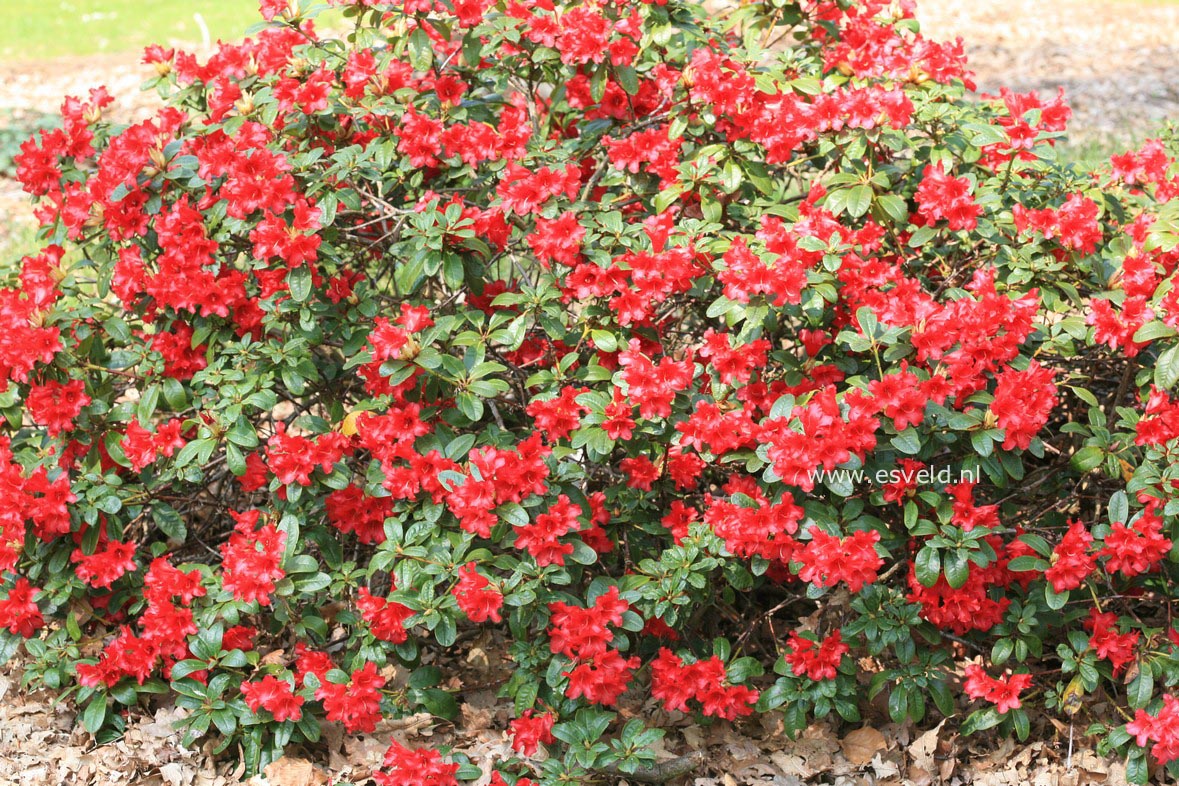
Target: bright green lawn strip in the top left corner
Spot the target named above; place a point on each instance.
(39, 30)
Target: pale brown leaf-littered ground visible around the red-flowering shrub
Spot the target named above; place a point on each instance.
(1116, 61)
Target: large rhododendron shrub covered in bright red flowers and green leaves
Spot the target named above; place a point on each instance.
(739, 364)
